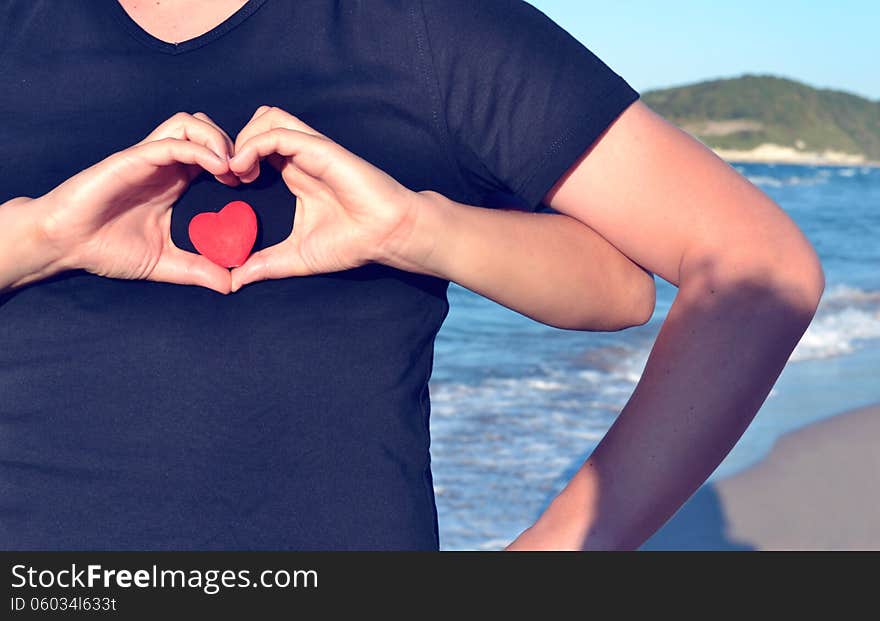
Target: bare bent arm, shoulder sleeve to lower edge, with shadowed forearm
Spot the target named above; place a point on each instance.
(749, 283)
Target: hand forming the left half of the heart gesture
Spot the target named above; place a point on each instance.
(114, 218)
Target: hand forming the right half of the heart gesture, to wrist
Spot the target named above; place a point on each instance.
(348, 212)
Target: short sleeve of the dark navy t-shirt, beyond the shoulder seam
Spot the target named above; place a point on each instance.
(521, 97)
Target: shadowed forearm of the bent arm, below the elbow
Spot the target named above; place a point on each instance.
(719, 352)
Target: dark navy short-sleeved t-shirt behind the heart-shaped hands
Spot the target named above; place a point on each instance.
(294, 413)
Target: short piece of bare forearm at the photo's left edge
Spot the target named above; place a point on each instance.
(25, 257)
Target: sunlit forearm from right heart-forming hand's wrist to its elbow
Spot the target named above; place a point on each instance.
(549, 267)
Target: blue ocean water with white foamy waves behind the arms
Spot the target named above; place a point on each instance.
(518, 406)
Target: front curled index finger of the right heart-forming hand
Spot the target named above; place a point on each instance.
(310, 153)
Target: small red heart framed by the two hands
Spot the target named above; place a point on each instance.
(226, 237)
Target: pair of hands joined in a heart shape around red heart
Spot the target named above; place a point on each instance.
(113, 219)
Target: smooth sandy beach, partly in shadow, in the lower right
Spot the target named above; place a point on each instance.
(818, 489)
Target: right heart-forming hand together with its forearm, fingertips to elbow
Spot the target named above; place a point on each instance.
(348, 212)
